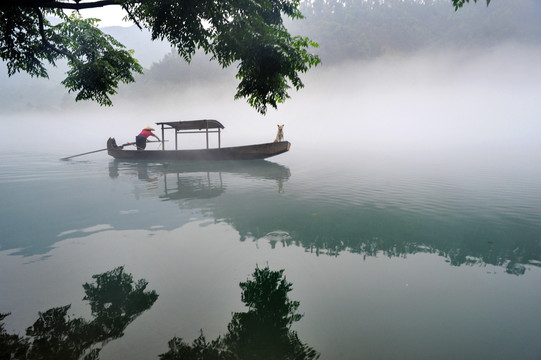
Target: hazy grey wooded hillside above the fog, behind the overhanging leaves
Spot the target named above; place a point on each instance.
(349, 30)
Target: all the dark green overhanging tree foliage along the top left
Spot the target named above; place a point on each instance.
(248, 33)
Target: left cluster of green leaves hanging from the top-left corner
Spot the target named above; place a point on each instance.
(97, 62)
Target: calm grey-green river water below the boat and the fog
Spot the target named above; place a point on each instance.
(390, 258)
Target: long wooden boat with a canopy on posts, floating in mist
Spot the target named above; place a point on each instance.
(247, 152)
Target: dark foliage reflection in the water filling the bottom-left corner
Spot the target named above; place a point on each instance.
(115, 301)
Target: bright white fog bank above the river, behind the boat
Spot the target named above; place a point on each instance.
(445, 104)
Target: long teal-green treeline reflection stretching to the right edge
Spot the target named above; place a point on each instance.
(469, 238)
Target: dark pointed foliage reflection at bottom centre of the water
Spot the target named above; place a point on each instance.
(263, 332)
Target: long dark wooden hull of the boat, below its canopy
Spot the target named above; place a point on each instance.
(248, 152)
